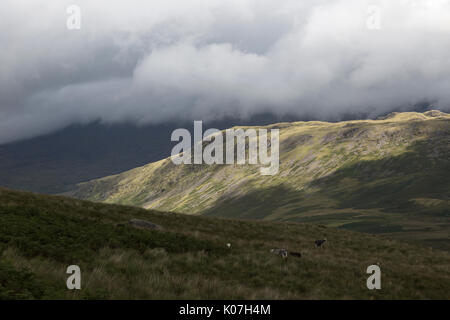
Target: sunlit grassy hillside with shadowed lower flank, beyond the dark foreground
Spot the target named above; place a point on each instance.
(389, 176)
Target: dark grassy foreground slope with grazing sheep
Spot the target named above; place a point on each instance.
(41, 235)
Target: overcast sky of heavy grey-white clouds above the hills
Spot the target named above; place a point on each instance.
(153, 61)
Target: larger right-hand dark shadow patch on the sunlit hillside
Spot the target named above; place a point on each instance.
(391, 183)
